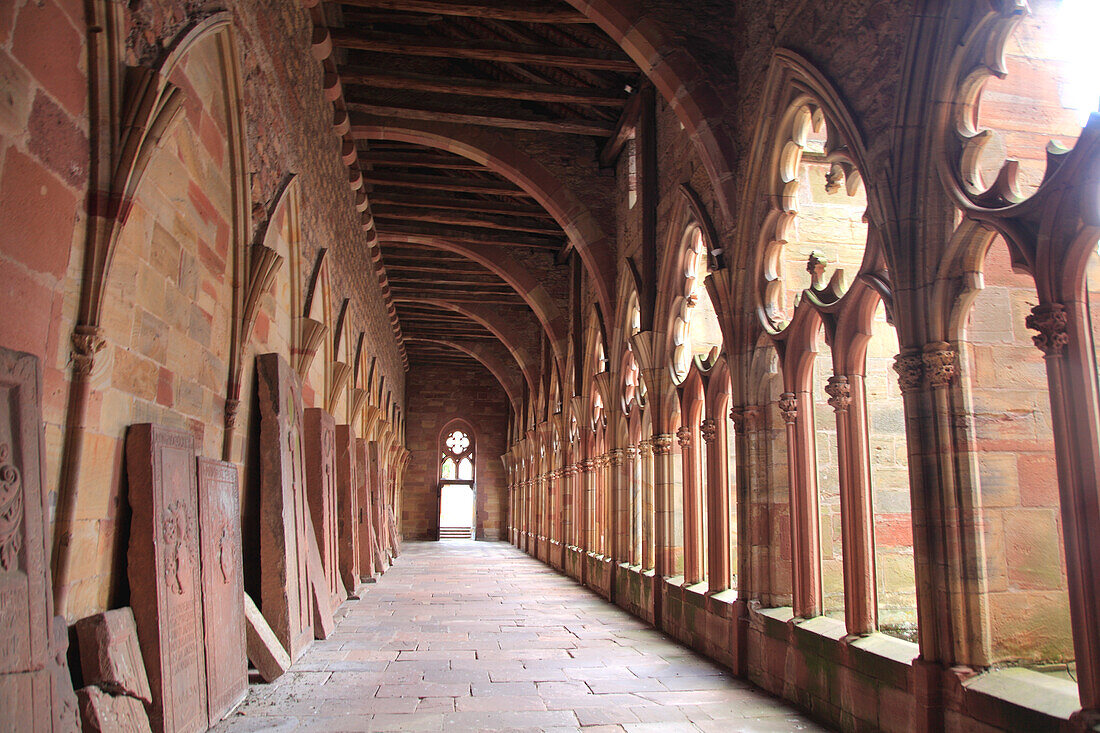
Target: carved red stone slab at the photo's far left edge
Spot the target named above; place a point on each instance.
(26, 606)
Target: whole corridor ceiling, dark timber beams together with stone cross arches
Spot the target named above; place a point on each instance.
(475, 266)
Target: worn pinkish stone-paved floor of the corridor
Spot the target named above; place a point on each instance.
(470, 637)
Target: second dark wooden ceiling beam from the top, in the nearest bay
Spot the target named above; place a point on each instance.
(487, 51)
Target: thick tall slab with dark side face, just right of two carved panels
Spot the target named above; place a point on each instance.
(284, 589)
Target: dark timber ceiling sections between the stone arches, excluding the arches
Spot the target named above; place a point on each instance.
(513, 67)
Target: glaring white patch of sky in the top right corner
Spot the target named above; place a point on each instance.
(1077, 26)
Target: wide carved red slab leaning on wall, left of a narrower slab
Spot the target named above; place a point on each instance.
(163, 566)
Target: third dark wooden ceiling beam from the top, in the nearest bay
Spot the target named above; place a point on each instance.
(545, 93)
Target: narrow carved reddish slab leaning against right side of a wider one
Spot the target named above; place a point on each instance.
(223, 587)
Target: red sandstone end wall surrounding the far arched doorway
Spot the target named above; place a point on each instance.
(435, 396)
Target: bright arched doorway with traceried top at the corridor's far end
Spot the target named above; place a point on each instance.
(457, 472)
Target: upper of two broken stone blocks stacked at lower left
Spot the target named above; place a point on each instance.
(111, 657)
